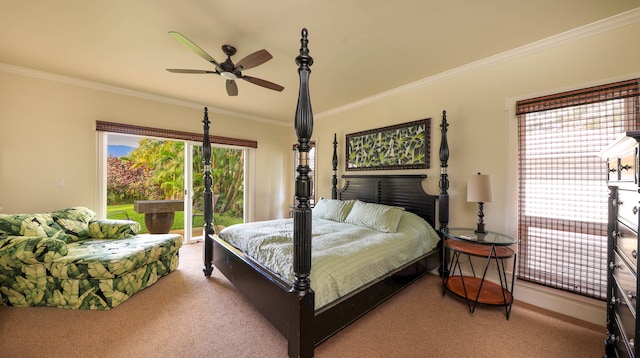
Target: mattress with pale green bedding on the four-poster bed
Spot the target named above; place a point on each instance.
(344, 256)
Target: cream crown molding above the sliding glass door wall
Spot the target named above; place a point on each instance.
(23, 71)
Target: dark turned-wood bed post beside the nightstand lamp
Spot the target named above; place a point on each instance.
(443, 199)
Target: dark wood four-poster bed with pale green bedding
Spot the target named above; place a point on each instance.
(282, 290)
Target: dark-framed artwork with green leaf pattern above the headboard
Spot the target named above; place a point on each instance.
(400, 146)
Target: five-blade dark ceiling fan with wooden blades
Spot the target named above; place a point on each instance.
(228, 69)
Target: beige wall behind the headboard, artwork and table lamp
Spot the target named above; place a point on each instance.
(482, 134)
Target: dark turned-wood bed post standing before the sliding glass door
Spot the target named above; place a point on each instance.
(208, 198)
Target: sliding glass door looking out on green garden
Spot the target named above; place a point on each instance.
(144, 168)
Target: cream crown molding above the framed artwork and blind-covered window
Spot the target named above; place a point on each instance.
(604, 25)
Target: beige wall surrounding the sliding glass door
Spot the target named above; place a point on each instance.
(47, 132)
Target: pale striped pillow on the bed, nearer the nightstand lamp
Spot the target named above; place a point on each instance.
(378, 217)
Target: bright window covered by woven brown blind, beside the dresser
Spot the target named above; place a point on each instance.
(562, 195)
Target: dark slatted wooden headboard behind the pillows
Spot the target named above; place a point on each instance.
(395, 190)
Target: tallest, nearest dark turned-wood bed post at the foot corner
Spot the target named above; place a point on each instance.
(301, 337)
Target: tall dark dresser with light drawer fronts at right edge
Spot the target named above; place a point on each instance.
(622, 250)
